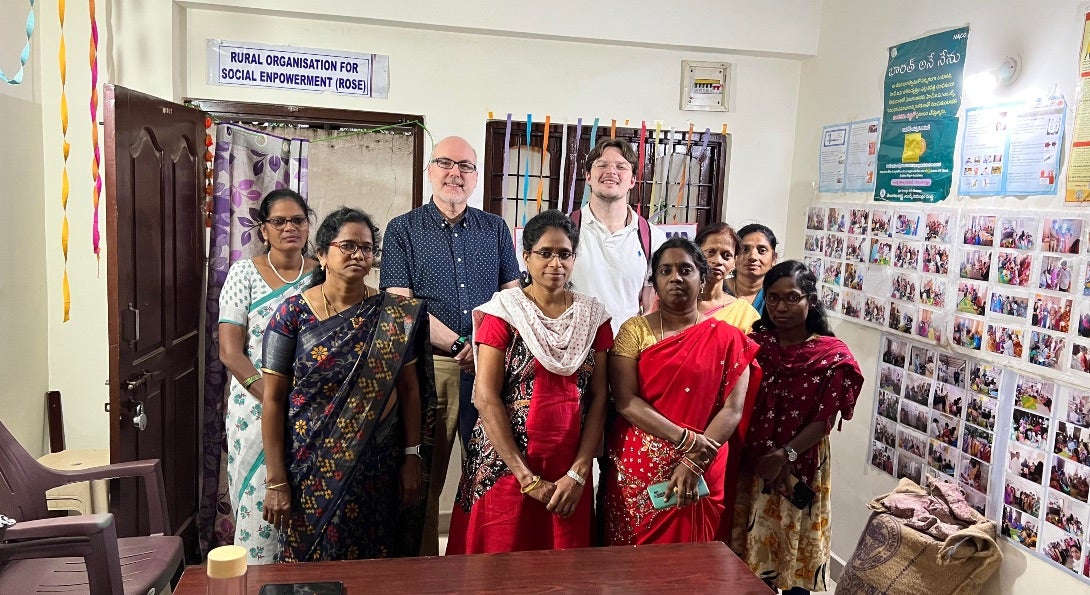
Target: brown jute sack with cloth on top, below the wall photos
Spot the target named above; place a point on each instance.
(921, 541)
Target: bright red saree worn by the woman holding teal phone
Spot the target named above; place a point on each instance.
(687, 379)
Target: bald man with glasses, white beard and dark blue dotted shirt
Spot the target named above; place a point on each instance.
(454, 257)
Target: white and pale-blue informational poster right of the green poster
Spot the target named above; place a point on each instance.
(1012, 150)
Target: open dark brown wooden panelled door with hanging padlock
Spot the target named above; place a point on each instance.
(155, 263)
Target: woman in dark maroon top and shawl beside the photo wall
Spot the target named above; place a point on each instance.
(781, 528)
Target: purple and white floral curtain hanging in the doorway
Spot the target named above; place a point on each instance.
(248, 165)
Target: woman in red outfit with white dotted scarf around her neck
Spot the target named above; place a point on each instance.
(541, 392)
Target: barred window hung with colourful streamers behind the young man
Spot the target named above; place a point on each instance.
(683, 179)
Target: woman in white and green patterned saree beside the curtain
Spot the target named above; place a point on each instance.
(252, 292)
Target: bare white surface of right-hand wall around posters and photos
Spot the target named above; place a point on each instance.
(844, 83)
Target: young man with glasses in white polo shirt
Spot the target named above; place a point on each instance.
(613, 259)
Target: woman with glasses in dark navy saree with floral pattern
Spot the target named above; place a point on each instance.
(349, 408)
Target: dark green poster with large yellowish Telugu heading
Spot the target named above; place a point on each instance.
(919, 125)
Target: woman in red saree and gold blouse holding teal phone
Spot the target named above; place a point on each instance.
(681, 382)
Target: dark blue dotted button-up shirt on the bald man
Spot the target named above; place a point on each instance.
(456, 269)
